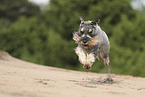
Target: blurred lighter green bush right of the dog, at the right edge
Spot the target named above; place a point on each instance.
(127, 39)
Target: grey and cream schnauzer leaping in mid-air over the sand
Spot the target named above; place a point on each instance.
(92, 43)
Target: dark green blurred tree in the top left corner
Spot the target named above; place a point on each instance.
(11, 10)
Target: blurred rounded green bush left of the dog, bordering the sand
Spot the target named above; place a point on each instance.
(31, 40)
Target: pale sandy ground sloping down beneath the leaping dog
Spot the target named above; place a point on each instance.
(23, 79)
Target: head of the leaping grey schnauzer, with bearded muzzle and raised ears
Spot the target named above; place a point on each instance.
(86, 33)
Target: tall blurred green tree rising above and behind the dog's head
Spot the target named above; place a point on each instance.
(63, 14)
